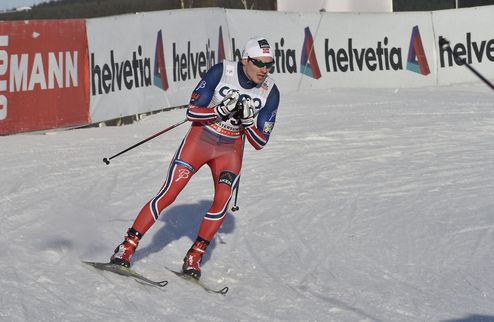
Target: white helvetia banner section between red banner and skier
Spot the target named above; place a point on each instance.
(145, 62)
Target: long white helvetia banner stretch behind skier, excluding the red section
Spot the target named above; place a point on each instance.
(146, 62)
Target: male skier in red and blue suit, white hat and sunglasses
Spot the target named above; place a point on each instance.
(232, 101)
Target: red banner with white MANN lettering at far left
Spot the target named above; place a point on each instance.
(44, 80)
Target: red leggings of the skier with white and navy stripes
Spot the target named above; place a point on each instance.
(199, 147)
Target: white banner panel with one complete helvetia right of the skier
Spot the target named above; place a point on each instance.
(375, 50)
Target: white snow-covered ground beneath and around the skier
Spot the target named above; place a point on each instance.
(366, 205)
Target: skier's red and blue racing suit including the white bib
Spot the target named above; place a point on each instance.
(215, 142)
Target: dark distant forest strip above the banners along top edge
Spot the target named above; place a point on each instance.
(67, 9)
